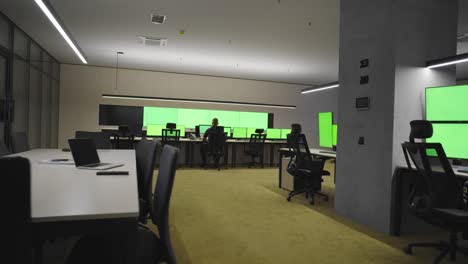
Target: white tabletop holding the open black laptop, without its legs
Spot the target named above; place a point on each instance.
(63, 192)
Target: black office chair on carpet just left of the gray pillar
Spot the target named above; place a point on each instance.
(305, 168)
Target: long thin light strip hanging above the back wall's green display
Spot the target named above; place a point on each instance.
(110, 96)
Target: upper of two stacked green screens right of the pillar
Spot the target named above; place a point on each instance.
(447, 103)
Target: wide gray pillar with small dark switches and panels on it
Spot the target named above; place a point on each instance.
(398, 37)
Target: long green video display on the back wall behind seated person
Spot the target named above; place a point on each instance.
(193, 117)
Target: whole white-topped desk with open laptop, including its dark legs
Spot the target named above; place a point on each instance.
(67, 201)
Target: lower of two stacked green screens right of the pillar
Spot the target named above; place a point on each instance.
(453, 138)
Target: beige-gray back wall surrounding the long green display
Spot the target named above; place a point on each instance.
(82, 87)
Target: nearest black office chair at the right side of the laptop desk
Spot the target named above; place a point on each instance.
(149, 247)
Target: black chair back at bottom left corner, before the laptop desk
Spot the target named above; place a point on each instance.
(16, 230)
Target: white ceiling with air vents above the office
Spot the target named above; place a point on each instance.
(253, 39)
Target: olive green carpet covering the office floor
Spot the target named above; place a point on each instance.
(241, 216)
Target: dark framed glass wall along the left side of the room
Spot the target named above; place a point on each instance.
(30, 86)
